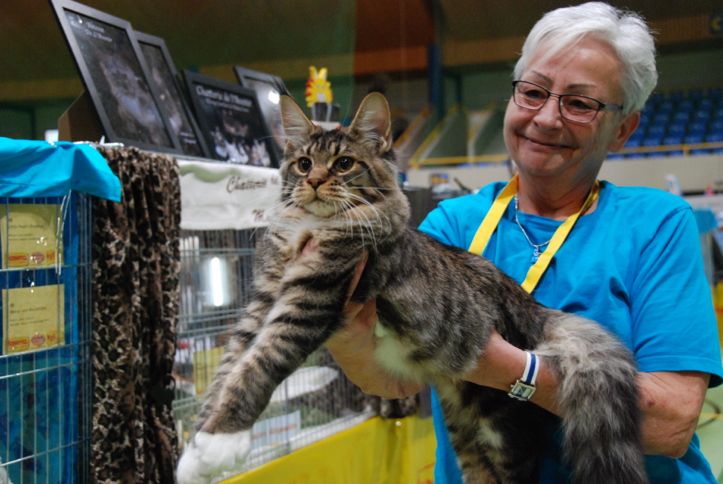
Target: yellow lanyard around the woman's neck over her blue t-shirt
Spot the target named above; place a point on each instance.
(492, 219)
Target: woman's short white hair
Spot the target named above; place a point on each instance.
(626, 32)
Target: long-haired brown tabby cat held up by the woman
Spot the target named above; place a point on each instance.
(438, 305)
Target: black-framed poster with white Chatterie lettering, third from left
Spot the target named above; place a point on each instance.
(231, 121)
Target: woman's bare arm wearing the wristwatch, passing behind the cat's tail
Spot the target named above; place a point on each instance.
(670, 402)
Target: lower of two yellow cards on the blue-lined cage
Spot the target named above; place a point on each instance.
(33, 318)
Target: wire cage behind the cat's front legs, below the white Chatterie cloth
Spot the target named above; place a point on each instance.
(313, 403)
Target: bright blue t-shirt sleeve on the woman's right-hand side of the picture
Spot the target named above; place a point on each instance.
(674, 324)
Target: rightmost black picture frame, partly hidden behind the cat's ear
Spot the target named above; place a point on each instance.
(268, 89)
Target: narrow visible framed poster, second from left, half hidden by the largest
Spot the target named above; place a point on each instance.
(163, 76)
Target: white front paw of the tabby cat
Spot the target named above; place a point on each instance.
(207, 455)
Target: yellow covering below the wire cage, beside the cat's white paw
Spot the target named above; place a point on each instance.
(377, 451)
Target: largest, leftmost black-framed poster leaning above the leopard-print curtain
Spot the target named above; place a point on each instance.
(115, 75)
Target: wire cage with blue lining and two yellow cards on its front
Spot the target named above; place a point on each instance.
(45, 366)
